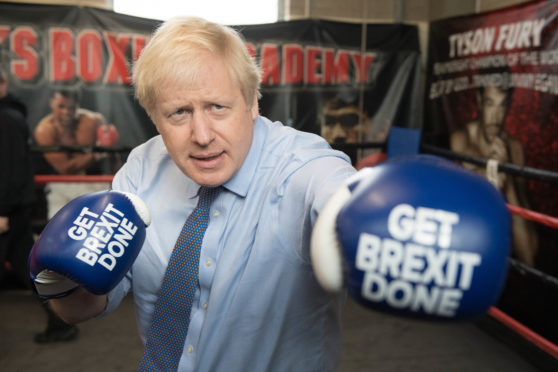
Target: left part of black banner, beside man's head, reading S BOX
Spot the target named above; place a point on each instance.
(87, 48)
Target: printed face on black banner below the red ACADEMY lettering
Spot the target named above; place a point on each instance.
(342, 125)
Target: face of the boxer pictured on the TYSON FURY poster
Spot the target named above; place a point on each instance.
(494, 106)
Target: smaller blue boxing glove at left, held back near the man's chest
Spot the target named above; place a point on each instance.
(91, 242)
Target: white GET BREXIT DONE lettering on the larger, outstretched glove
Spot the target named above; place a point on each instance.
(415, 269)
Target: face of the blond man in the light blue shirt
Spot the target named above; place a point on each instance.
(207, 126)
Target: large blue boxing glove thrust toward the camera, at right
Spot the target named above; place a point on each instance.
(416, 236)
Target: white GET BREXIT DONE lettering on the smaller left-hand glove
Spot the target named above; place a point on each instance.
(105, 237)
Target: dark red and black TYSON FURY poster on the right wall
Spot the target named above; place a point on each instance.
(492, 93)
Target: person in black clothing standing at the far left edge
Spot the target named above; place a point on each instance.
(17, 193)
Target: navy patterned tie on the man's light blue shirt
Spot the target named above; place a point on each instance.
(165, 339)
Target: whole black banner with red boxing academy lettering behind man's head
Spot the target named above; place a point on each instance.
(372, 76)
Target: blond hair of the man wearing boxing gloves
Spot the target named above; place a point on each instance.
(177, 52)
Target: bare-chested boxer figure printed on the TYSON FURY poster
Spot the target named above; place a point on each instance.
(486, 137)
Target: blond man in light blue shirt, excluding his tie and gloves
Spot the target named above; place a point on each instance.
(257, 306)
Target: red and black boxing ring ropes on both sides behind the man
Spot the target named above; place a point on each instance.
(516, 327)
